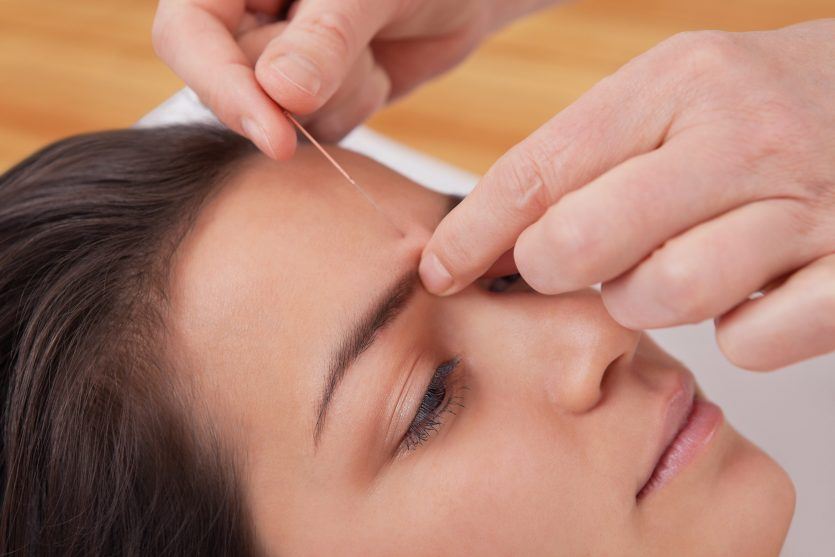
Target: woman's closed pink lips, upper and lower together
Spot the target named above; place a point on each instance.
(689, 425)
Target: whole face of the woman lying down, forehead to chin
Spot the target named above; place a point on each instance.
(486, 423)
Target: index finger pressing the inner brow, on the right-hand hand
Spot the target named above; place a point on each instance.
(616, 120)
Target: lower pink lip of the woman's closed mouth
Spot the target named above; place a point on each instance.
(702, 423)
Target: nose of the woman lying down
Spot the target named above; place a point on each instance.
(558, 347)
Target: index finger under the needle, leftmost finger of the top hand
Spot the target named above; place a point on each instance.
(195, 38)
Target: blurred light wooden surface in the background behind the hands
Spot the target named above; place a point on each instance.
(68, 67)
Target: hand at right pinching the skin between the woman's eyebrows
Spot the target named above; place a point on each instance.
(700, 173)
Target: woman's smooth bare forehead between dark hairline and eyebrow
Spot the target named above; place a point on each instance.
(278, 263)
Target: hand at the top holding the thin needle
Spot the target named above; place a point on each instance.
(339, 59)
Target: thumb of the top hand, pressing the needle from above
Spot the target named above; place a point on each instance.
(304, 66)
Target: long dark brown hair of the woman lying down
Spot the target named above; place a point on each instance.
(100, 453)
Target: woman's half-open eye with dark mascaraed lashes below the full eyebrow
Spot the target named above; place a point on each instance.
(433, 407)
